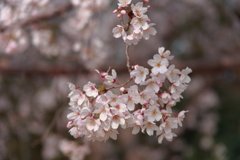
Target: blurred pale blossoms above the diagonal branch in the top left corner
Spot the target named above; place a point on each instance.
(15, 12)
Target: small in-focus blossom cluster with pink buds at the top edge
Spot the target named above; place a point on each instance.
(137, 25)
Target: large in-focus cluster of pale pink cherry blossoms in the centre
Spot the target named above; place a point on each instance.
(97, 111)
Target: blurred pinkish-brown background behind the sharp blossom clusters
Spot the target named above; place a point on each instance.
(46, 43)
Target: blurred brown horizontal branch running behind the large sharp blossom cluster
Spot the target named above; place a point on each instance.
(199, 66)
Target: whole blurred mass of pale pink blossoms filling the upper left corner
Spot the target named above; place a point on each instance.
(21, 25)
